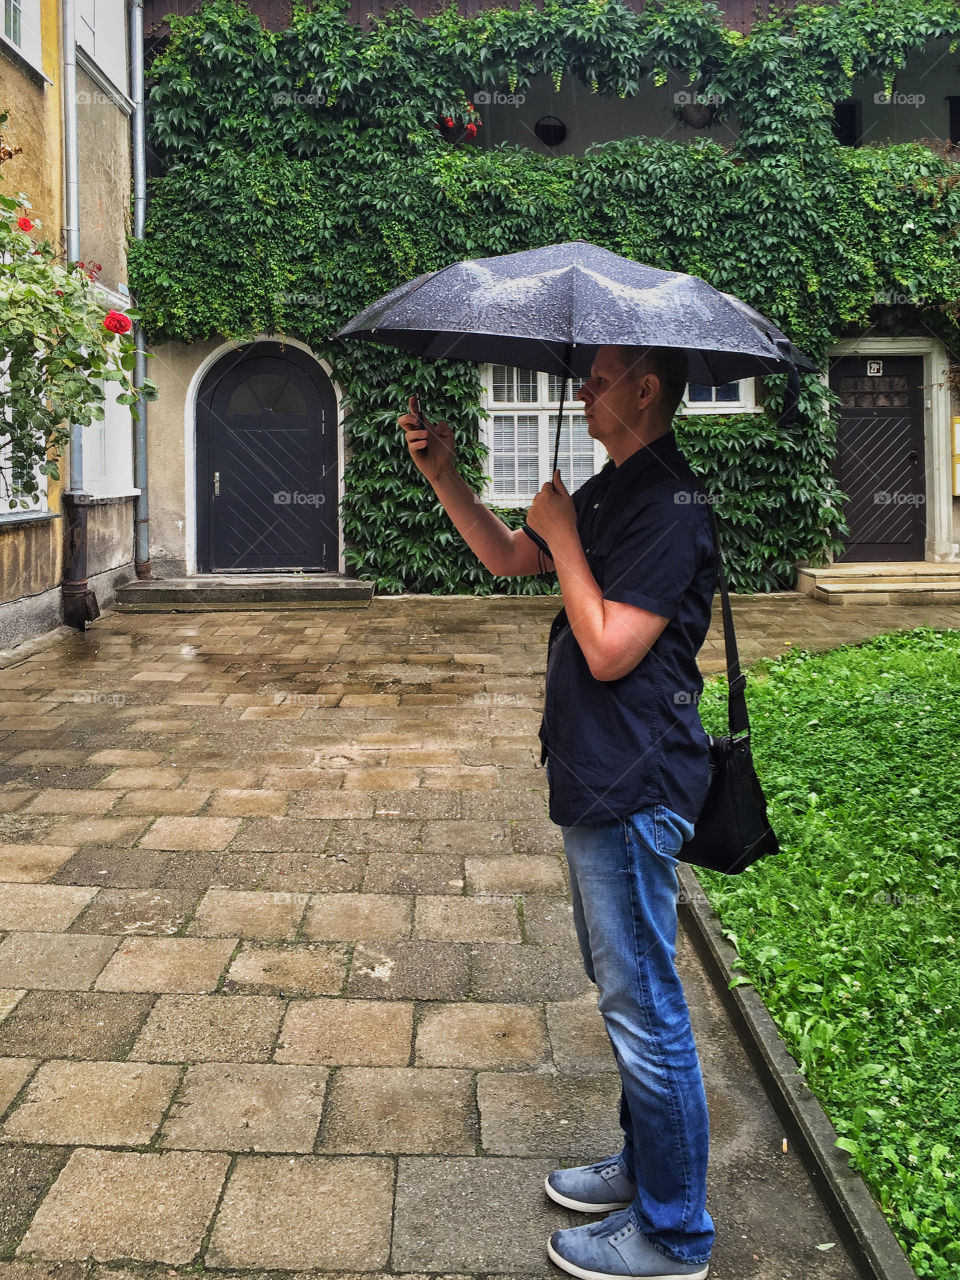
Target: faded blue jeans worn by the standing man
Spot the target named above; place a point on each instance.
(625, 908)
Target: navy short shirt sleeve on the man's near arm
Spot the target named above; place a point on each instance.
(656, 560)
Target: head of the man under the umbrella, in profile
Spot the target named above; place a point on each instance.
(633, 395)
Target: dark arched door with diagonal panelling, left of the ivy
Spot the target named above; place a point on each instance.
(267, 463)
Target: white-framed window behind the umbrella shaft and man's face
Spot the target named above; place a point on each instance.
(522, 431)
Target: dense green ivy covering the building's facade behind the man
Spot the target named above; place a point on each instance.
(309, 164)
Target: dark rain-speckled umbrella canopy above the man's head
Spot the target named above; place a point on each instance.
(552, 308)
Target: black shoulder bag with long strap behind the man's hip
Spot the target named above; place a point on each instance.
(733, 830)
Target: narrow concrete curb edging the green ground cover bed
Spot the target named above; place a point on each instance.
(848, 1199)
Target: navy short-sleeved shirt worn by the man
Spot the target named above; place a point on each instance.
(620, 746)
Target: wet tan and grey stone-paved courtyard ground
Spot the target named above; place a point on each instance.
(289, 980)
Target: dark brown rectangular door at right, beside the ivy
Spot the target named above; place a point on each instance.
(880, 456)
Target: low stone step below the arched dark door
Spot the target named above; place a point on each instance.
(241, 592)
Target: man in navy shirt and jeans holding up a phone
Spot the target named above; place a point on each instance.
(628, 772)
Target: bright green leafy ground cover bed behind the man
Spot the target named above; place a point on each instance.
(851, 935)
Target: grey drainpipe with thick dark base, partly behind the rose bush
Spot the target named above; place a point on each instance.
(80, 605)
